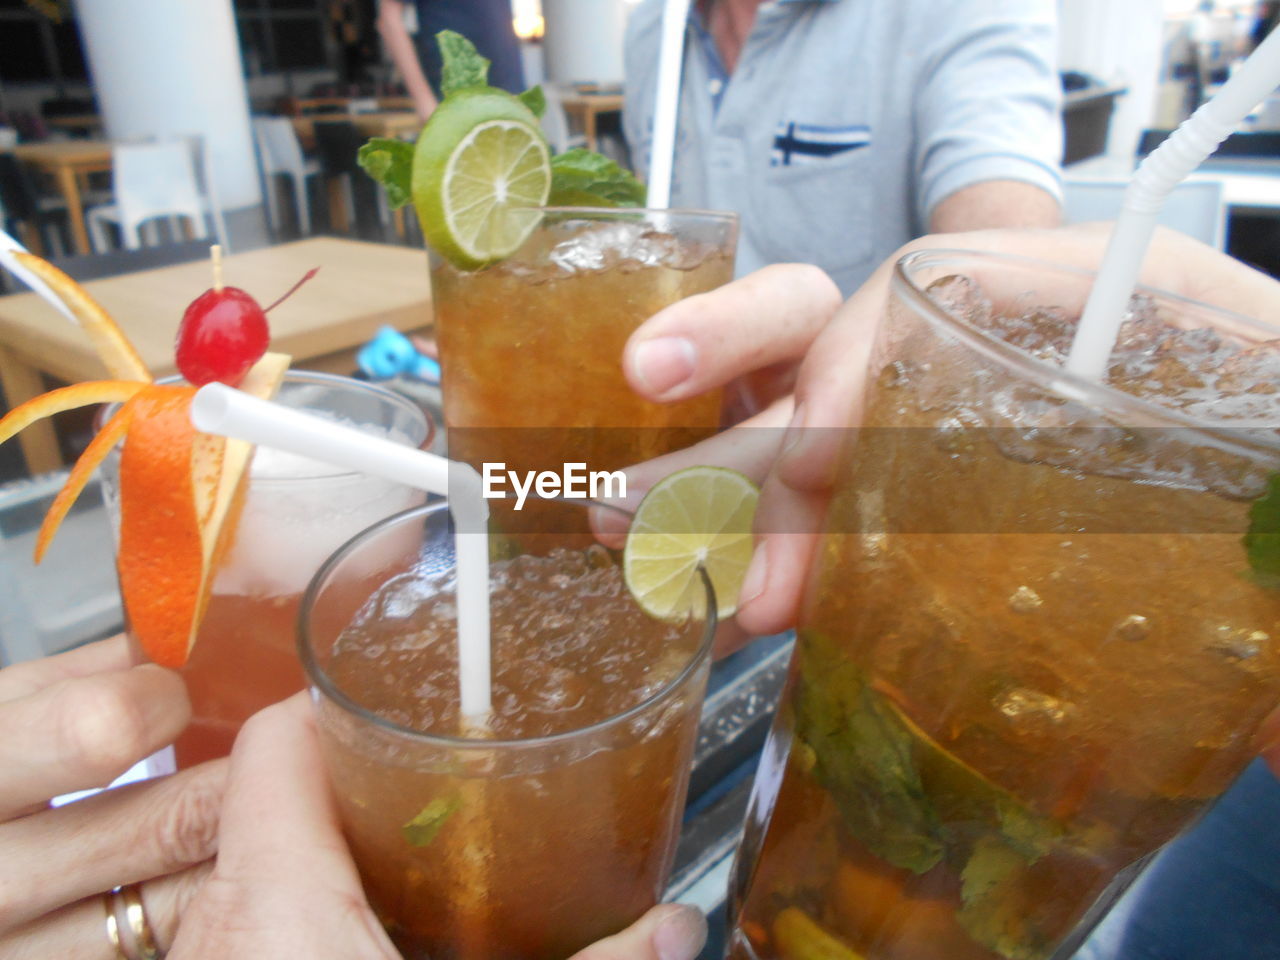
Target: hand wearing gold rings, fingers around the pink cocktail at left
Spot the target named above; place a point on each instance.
(75, 723)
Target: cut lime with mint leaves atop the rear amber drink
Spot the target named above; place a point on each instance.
(481, 171)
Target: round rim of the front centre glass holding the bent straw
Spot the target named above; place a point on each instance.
(321, 680)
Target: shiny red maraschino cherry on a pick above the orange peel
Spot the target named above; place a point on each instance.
(223, 333)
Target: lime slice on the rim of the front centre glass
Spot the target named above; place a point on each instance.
(697, 518)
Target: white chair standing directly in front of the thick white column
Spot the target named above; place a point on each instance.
(156, 180)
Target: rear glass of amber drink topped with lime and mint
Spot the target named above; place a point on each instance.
(532, 348)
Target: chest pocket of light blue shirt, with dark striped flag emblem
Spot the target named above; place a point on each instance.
(815, 209)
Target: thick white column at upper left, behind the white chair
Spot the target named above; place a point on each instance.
(173, 67)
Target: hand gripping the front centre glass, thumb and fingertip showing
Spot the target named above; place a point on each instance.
(286, 886)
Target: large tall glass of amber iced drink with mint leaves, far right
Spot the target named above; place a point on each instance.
(1043, 632)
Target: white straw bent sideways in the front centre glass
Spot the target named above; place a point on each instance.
(228, 413)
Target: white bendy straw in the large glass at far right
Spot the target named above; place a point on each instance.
(1156, 177)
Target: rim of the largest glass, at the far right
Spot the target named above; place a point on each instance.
(1058, 380)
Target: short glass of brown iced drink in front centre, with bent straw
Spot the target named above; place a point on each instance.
(492, 844)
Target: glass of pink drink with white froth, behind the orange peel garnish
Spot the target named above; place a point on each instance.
(295, 515)
